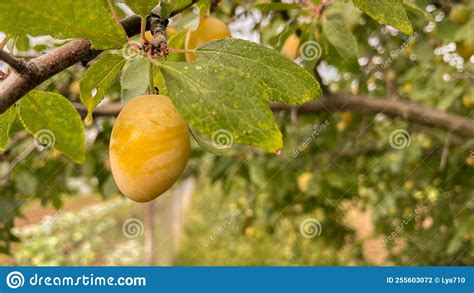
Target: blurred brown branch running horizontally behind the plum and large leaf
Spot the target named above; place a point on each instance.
(346, 102)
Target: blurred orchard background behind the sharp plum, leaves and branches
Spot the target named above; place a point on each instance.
(348, 188)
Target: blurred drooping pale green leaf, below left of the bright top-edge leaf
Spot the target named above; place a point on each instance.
(337, 35)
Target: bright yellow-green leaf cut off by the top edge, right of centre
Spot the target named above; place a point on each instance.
(389, 12)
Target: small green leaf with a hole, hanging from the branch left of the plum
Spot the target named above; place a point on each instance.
(99, 77)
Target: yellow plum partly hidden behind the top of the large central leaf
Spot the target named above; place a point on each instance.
(209, 29)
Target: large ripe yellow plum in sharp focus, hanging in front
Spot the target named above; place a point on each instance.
(149, 147)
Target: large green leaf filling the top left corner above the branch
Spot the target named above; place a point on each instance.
(88, 19)
